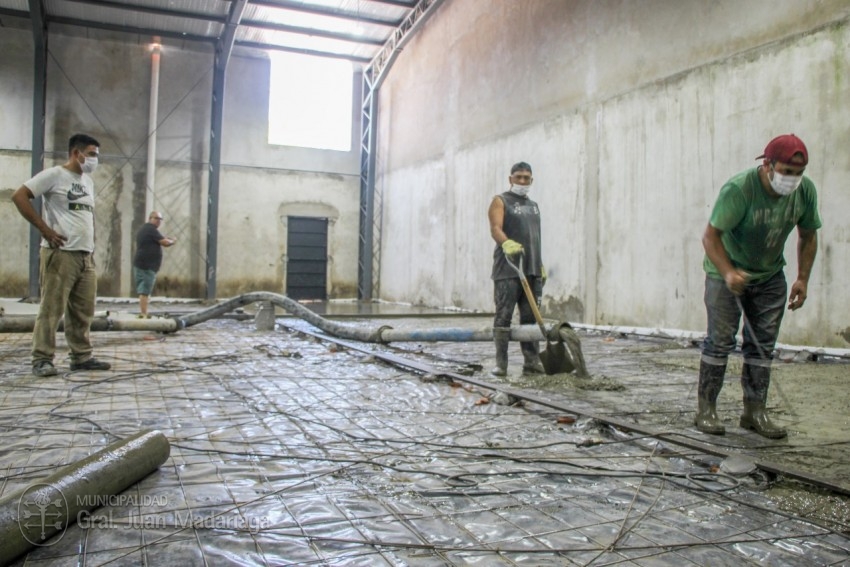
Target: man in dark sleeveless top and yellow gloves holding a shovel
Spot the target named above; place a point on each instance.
(515, 227)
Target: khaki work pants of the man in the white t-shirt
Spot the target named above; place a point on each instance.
(69, 288)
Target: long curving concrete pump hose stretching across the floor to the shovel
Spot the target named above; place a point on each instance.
(382, 334)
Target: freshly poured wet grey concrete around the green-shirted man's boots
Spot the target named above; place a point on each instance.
(653, 382)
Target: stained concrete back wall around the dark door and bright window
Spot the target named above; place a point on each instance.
(99, 82)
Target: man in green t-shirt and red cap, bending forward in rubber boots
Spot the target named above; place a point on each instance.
(744, 241)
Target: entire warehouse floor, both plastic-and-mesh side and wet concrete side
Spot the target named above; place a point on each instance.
(288, 447)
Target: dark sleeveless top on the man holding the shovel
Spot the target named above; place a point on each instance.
(522, 224)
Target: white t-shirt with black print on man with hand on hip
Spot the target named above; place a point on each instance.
(67, 206)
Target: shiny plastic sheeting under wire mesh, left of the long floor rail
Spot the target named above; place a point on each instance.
(286, 450)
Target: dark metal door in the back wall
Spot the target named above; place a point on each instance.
(307, 258)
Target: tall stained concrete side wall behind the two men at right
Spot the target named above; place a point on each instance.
(632, 114)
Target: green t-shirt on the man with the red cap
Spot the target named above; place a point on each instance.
(755, 225)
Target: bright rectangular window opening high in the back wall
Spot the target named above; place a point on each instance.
(310, 101)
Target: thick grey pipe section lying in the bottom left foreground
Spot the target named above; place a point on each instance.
(35, 514)
